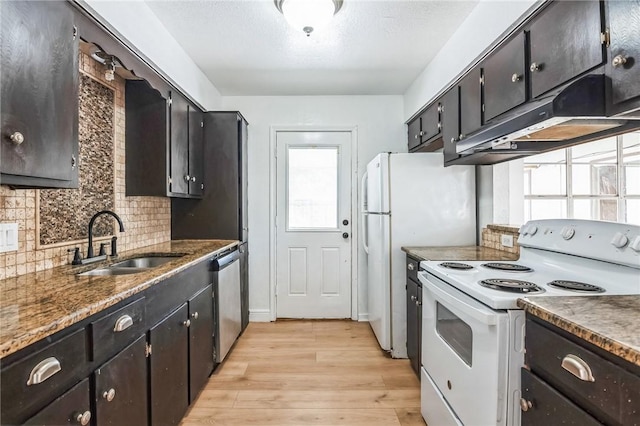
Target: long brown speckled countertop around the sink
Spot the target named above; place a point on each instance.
(36, 305)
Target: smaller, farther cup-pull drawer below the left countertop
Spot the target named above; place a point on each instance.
(116, 330)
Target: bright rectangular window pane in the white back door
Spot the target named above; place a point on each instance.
(312, 188)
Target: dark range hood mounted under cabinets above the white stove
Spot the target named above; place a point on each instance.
(573, 114)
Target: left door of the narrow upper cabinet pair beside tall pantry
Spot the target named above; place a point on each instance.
(179, 161)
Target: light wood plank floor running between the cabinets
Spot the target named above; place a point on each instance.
(309, 373)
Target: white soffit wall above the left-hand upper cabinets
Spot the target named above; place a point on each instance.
(140, 27)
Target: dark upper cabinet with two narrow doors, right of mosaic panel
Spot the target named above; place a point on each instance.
(163, 143)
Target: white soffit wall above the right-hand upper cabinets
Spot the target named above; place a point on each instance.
(486, 22)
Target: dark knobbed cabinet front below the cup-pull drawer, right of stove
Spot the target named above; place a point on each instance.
(548, 406)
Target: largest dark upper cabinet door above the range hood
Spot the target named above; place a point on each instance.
(565, 42)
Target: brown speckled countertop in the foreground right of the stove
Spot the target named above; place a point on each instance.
(609, 322)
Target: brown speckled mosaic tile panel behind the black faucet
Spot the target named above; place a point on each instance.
(65, 213)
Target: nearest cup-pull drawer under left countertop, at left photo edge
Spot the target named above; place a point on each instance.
(31, 383)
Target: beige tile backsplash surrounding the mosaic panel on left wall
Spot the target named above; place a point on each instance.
(147, 220)
